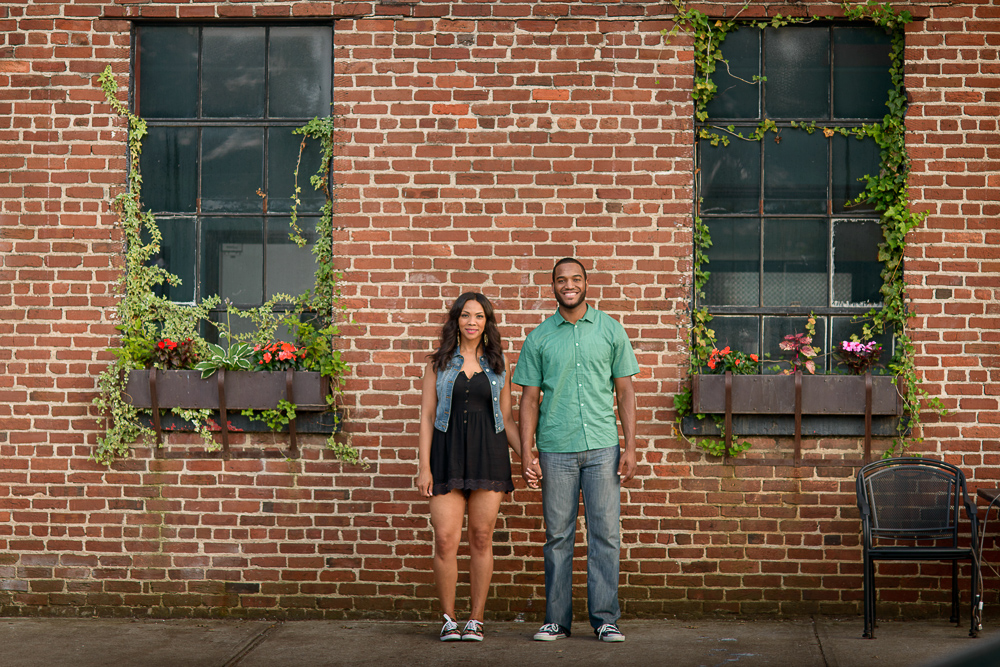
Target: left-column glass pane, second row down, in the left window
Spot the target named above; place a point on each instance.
(169, 164)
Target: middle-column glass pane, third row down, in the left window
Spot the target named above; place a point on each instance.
(232, 259)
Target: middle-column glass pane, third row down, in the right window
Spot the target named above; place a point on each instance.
(795, 263)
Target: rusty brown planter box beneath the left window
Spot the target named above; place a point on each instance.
(226, 391)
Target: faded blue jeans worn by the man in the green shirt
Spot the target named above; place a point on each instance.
(563, 477)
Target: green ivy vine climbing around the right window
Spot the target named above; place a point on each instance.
(887, 191)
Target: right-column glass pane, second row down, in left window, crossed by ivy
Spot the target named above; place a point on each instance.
(282, 156)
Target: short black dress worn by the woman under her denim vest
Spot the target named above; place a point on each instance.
(471, 454)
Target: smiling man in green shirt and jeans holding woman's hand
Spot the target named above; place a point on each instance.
(577, 359)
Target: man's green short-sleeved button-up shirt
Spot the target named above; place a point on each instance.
(575, 365)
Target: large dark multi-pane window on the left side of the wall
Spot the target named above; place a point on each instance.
(221, 103)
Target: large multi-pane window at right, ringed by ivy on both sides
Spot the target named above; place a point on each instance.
(785, 242)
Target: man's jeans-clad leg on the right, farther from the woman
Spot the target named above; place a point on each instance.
(602, 510)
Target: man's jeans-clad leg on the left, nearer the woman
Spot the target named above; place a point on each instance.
(560, 506)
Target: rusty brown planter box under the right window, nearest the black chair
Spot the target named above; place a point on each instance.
(785, 397)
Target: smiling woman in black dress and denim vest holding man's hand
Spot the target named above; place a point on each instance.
(465, 428)
